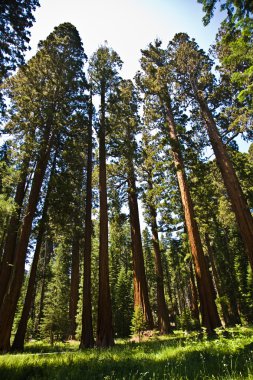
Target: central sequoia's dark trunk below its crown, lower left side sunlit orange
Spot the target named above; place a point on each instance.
(141, 298)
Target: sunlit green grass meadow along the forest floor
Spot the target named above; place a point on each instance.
(179, 356)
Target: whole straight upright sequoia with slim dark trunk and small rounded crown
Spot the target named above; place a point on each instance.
(103, 72)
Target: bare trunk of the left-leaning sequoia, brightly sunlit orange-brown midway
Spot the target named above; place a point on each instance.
(208, 308)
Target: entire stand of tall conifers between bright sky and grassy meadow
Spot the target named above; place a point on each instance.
(76, 258)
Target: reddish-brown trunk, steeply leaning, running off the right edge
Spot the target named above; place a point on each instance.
(231, 182)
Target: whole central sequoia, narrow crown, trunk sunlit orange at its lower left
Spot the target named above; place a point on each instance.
(125, 122)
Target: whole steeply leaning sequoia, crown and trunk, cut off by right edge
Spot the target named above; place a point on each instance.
(194, 77)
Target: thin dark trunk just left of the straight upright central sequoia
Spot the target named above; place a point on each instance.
(87, 339)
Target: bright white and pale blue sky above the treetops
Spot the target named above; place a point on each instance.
(127, 25)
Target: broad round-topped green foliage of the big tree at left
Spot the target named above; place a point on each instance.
(47, 98)
